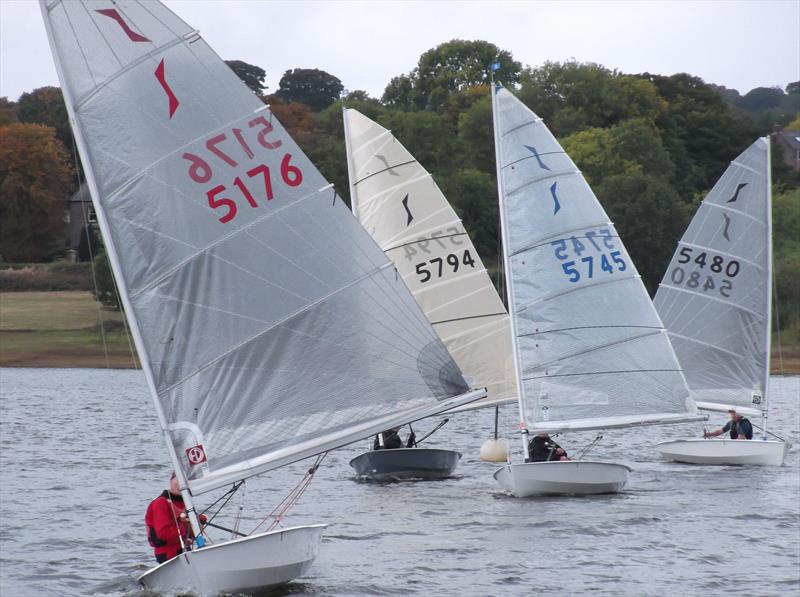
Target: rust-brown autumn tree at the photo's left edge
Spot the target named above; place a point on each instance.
(34, 174)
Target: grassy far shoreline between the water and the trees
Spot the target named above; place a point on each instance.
(60, 329)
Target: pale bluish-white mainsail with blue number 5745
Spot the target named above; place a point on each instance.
(591, 349)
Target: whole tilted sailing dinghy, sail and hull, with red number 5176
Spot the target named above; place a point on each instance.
(269, 325)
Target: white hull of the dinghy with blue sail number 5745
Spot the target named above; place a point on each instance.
(576, 477)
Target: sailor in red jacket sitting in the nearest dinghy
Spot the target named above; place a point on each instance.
(168, 528)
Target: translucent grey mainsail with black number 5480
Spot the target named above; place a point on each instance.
(716, 294)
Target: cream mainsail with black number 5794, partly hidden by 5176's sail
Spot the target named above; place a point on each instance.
(400, 205)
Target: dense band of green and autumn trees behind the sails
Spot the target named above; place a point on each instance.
(651, 146)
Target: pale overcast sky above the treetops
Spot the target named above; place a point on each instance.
(739, 44)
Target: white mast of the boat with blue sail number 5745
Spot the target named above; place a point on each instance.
(509, 282)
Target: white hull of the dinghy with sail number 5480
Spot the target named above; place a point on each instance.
(725, 451)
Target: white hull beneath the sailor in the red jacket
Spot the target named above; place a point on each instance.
(241, 565)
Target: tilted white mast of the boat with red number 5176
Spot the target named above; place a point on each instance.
(116, 269)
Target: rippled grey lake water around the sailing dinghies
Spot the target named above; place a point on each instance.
(81, 457)
